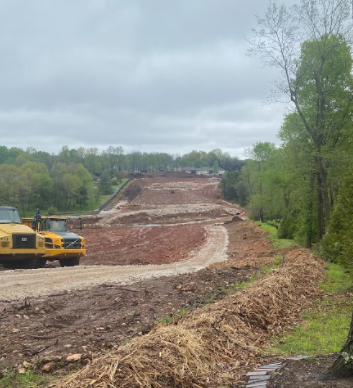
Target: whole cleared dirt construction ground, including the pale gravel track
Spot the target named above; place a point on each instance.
(168, 246)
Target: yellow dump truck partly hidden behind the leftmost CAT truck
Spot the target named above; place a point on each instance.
(60, 244)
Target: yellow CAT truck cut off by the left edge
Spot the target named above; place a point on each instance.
(20, 247)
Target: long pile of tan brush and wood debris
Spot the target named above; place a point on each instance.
(211, 346)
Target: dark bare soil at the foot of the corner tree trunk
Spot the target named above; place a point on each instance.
(308, 373)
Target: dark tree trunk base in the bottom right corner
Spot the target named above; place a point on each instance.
(343, 366)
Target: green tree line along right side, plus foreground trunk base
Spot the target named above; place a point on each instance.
(305, 186)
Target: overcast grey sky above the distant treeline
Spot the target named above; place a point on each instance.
(148, 75)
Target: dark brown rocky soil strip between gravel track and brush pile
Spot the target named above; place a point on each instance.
(47, 330)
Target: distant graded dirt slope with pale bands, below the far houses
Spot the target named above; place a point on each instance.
(162, 200)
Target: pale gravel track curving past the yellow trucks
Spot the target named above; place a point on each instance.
(32, 283)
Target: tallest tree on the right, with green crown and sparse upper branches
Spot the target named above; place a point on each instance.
(307, 43)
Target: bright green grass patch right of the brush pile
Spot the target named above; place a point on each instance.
(325, 327)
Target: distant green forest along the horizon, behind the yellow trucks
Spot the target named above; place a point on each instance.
(77, 178)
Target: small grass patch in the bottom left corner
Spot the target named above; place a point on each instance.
(20, 380)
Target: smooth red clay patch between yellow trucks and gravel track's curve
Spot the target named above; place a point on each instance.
(146, 245)
